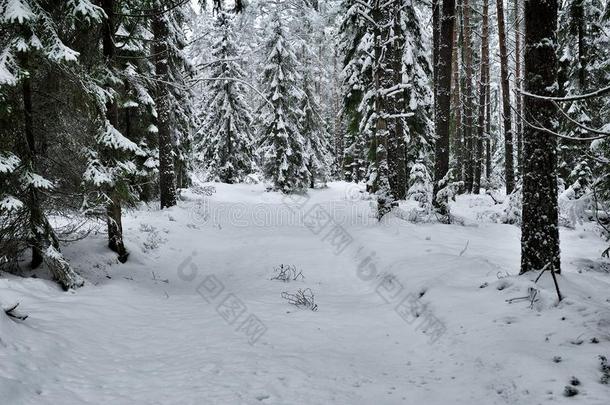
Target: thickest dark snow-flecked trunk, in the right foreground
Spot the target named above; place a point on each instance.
(539, 231)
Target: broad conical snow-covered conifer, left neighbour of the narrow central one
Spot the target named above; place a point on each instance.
(225, 147)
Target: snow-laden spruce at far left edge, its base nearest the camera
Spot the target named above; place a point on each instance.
(33, 41)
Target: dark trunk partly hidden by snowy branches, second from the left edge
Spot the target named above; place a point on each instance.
(113, 209)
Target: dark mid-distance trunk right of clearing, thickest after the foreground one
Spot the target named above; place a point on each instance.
(443, 101)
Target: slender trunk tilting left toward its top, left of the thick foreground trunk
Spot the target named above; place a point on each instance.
(506, 113)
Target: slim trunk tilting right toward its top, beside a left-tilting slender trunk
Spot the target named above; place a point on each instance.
(483, 89)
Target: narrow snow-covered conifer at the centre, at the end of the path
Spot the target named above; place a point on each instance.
(283, 147)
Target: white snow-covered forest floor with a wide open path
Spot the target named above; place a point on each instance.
(407, 313)
